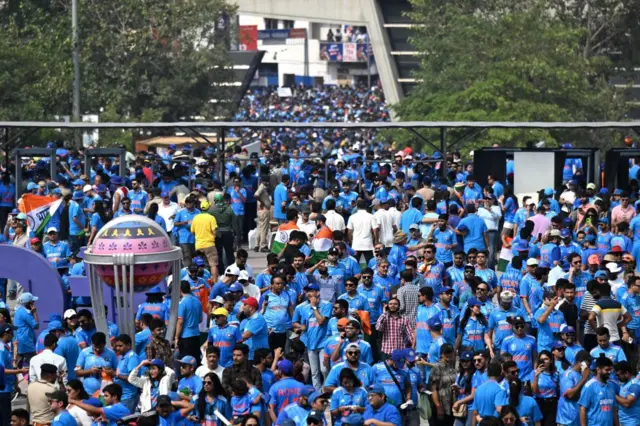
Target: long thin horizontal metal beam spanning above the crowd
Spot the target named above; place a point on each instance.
(332, 125)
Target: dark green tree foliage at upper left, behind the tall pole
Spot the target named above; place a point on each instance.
(140, 59)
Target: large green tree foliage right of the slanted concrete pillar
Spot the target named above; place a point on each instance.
(506, 60)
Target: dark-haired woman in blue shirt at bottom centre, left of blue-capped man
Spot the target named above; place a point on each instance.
(349, 398)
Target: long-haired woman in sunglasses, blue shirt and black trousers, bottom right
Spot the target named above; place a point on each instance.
(546, 387)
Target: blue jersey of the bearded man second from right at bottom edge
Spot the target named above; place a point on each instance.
(599, 399)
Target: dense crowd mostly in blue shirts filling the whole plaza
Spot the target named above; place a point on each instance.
(396, 291)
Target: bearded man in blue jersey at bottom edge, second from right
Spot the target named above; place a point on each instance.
(598, 406)
